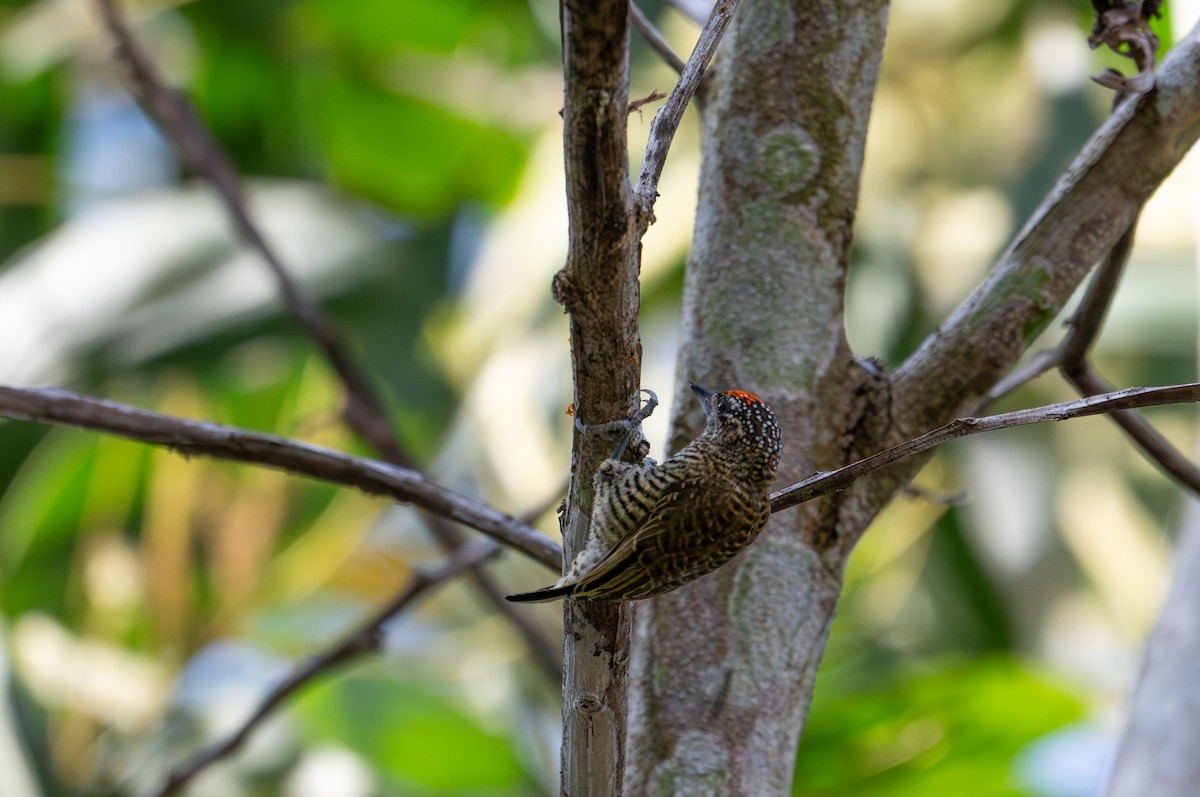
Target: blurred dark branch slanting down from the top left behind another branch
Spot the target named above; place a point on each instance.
(364, 411)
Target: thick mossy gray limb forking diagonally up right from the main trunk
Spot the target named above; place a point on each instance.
(1090, 209)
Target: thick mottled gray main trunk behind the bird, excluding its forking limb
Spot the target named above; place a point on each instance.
(722, 670)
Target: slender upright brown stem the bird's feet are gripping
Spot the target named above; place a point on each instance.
(599, 289)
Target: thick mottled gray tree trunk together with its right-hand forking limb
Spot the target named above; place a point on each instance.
(722, 672)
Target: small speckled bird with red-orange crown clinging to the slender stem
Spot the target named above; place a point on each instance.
(656, 529)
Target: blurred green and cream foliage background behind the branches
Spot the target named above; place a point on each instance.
(406, 160)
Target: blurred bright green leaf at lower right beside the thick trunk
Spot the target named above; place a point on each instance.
(952, 732)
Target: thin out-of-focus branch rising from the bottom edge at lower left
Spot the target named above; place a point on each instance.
(365, 640)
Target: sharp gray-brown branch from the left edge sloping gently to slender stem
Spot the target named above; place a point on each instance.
(65, 409)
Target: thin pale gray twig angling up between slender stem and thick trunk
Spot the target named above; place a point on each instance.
(667, 121)
